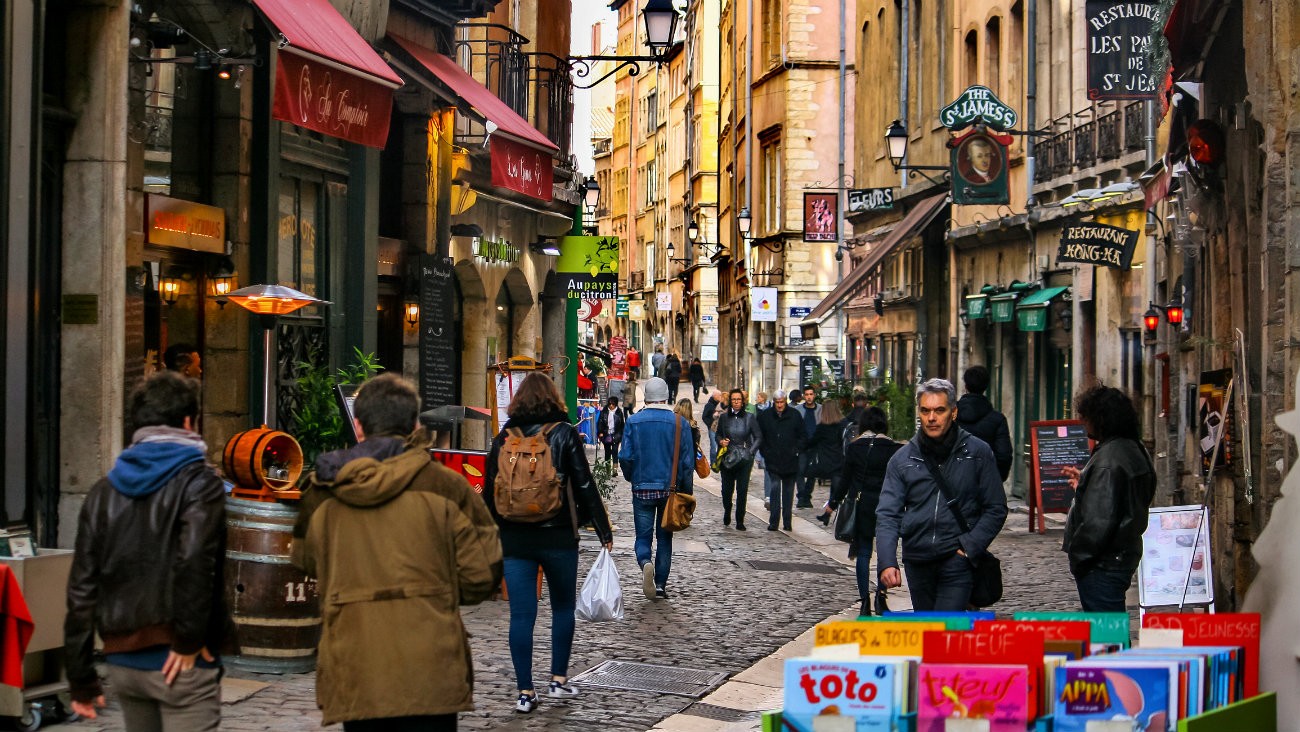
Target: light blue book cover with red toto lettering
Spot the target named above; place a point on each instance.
(848, 696)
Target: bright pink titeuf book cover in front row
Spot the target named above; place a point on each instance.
(999, 695)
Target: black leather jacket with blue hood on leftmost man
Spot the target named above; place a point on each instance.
(149, 561)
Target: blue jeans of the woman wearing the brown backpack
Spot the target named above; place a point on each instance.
(561, 570)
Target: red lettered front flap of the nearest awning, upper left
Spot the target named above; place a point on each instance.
(331, 102)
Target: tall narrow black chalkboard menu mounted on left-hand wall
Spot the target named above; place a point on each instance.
(439, 367)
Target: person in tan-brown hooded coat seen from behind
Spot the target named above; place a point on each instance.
(397, 544)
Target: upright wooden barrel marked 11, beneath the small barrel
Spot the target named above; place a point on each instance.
(275, 605)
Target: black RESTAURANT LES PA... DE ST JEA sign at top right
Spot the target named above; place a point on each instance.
(1119, 42)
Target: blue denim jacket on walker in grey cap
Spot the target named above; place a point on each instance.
(647, 453)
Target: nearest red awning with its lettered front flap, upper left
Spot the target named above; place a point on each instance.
(328, 79)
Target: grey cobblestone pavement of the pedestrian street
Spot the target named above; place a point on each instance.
(723, 616)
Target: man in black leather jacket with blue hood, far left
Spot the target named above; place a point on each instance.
(148, 573)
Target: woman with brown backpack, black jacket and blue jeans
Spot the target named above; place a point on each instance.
(539, 513)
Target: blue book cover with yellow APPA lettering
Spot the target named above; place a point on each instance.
(1097, 694)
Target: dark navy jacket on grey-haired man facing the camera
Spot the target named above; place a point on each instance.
(913, 510)
